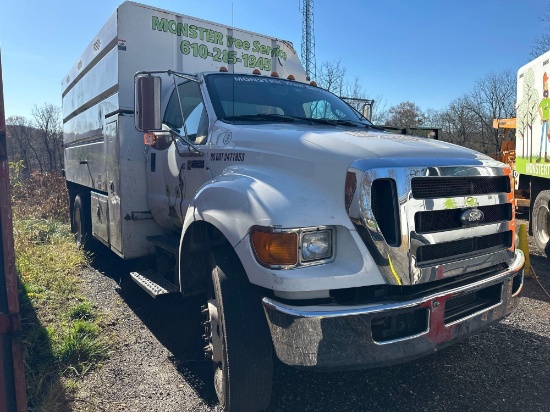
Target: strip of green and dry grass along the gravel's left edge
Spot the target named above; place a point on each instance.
(61, 333)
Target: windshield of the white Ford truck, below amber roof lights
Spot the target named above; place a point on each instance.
(242, 98)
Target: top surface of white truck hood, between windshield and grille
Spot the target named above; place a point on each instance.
(343, 145)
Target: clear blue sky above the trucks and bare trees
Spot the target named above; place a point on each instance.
(429, 52)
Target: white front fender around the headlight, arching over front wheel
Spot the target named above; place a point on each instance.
(243, 197)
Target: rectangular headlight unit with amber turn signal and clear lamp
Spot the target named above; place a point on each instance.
(290, 248)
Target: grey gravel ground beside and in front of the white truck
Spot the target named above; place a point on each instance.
(504, 368)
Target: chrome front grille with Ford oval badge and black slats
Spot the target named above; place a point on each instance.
(427, 210)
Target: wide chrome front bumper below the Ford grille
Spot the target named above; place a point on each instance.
(341, 337)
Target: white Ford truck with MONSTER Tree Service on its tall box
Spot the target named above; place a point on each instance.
(309, 233)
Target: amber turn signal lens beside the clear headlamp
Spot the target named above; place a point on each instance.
(275, 248)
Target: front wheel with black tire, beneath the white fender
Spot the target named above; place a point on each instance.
(237, 336)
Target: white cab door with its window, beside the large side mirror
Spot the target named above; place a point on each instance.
(179, 172)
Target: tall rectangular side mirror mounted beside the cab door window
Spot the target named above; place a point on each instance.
(147, 115)
